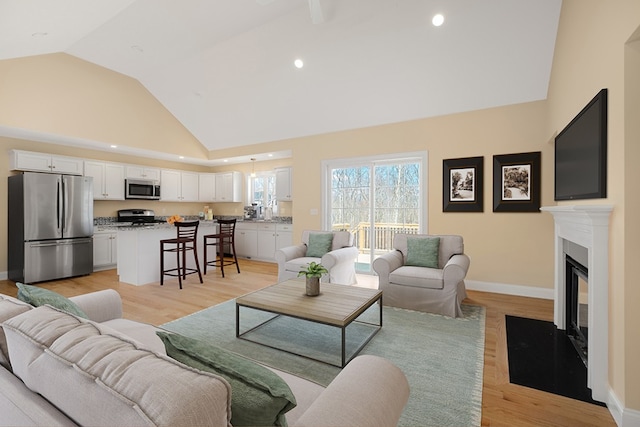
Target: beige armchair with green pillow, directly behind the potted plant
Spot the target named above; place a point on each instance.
(334, 250)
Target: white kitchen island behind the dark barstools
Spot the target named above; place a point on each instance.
(139, 251)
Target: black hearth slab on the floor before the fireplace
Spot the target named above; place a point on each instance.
(542, 357)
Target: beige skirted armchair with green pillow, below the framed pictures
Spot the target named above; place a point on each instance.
(423, 273)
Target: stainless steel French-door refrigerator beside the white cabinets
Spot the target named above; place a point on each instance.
(50, 232)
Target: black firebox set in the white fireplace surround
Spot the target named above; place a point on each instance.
(577, 317)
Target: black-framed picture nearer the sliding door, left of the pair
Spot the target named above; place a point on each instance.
(462, 184)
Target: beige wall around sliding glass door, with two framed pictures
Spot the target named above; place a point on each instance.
(491, 239)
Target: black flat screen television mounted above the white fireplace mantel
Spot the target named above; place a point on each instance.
(581, 153)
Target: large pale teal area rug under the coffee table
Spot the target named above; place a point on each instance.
(442, 357)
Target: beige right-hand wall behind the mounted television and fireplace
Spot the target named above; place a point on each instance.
(592, 53)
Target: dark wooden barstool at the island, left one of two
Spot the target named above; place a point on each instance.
(186, 234)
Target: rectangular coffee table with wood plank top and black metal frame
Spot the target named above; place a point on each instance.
(337, 305)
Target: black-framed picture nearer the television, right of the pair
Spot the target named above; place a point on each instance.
(516, 182)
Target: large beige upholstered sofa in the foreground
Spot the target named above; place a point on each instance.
(57, 369)
